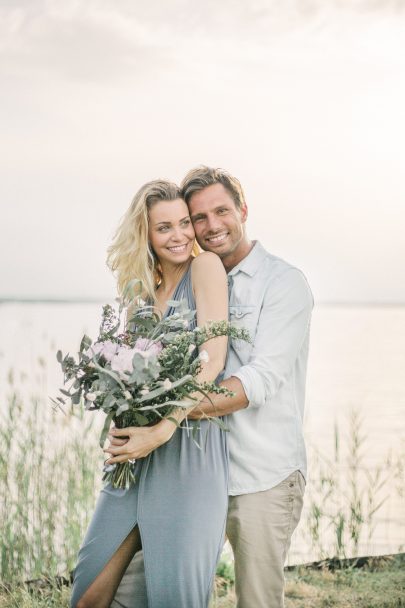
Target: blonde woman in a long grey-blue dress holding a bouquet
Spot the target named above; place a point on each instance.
(177, 509)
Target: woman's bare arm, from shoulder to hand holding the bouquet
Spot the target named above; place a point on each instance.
(211, 296)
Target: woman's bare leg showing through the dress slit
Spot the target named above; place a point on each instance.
(101, 592)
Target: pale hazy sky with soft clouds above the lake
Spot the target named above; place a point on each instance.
(301, 100)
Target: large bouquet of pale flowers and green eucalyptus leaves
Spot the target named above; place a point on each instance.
(140, 375)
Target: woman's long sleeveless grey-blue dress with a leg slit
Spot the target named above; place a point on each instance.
(179, 503)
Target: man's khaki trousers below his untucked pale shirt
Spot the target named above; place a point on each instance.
(259, 529)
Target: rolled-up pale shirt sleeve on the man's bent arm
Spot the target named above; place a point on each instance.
(282, 329)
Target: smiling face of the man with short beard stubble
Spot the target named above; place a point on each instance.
(219, 224)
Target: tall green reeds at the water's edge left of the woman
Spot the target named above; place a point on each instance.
(49, 476)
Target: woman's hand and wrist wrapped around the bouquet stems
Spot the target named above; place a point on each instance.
(138, 442)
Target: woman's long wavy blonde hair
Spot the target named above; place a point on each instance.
(130, 255)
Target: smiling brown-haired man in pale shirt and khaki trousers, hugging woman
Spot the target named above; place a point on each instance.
(273, 301)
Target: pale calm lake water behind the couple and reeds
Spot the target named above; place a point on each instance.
(357, 364)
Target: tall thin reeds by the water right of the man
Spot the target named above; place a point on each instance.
(344, 496)
